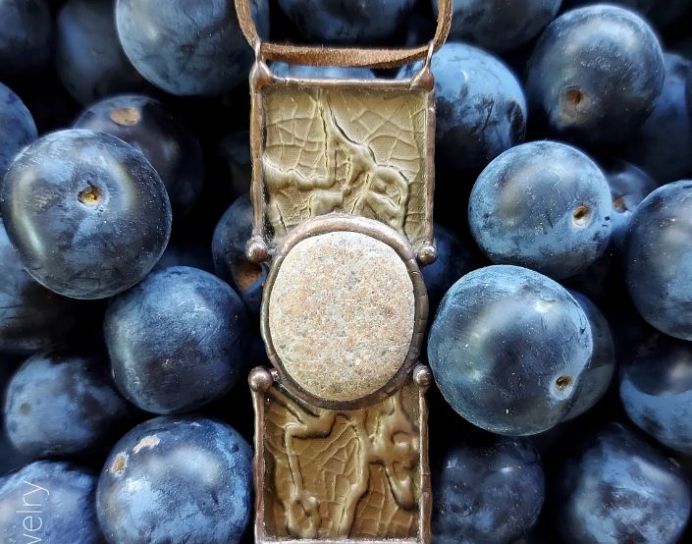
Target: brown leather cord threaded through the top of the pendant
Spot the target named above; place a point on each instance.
(341, 56)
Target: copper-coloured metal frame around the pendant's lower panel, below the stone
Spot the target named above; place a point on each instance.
(261, 380)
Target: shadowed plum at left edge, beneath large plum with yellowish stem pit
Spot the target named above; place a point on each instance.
(31, 317)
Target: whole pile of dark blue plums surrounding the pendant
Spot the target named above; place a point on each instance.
(560, 337)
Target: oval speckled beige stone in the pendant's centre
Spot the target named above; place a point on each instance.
(341, 315)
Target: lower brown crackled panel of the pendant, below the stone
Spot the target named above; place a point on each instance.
(342, 474)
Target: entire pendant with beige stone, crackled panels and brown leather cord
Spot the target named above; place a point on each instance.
(342, 192)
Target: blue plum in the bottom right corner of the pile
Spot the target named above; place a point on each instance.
(622, 490)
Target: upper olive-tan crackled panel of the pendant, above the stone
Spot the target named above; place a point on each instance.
(353, 149)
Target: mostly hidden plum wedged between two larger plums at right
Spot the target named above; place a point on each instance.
(629, 185)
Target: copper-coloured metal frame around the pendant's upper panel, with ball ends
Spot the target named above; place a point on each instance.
(259, 248)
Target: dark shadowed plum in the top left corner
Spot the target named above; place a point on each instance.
(26, 37)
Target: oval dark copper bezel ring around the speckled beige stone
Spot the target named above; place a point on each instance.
(348, 223)
